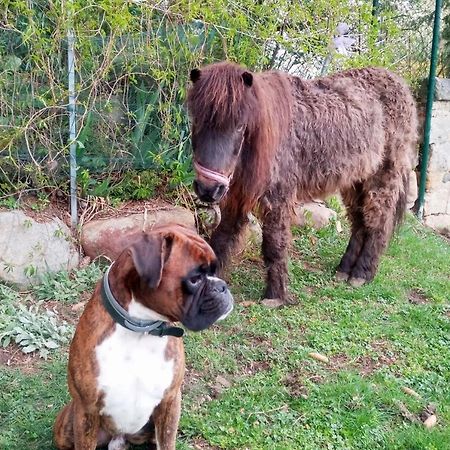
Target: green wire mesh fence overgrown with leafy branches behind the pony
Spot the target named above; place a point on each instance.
(132, 64)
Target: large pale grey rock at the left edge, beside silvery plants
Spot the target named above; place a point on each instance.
(28, 249)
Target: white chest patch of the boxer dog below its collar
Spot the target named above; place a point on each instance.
(133, 375)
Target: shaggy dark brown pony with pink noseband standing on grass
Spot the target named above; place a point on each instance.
(267, 139)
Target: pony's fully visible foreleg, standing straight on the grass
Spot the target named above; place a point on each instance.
(276, 239)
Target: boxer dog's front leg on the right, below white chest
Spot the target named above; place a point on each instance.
(166, 417)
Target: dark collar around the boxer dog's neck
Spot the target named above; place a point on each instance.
(120, 315)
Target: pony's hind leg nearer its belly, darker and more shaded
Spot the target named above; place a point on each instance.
(353, 200)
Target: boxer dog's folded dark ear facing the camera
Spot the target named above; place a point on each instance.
(149, 256)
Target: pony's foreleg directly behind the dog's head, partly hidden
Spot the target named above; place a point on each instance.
(226, 237)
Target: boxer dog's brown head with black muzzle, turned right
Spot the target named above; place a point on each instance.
(171, 271)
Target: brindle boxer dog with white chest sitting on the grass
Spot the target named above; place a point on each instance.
(126, 360)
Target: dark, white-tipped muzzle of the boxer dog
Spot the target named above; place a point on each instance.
(211, 302)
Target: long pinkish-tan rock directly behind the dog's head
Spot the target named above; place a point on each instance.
(108, 237)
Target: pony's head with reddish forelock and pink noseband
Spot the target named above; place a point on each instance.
(220, 103)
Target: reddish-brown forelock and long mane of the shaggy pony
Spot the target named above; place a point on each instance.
(218, 98)
